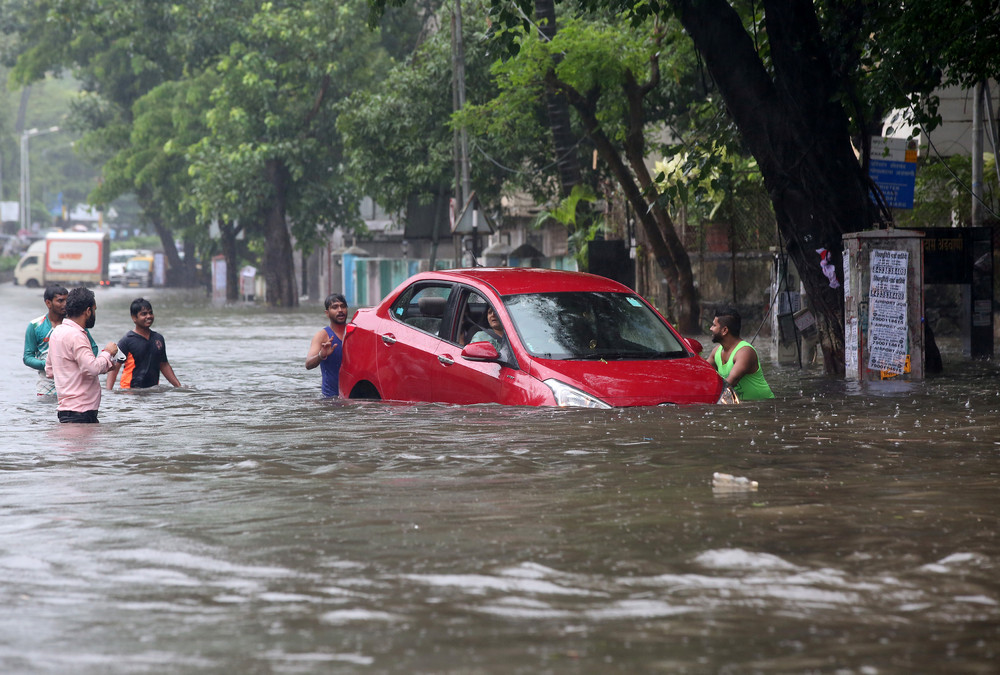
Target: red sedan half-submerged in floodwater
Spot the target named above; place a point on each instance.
(522, 336)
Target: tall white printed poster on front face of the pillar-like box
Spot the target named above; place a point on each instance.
(887, 311)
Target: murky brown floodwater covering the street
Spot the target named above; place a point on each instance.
(244, 525)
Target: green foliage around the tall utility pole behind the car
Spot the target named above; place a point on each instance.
(399, 143)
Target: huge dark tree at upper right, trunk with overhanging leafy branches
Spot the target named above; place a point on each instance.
(799, 79)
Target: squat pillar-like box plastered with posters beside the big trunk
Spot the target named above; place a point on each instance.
(884, 305)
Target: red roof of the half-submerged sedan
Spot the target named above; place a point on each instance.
(517, 280)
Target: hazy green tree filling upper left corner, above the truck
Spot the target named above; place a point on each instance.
(120, 52)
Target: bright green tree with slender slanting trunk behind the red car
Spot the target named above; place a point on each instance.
(611, 77)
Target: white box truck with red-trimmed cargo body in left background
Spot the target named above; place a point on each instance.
(65, 258)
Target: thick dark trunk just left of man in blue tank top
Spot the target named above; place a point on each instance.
(279, 266)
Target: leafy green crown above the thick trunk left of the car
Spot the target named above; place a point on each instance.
(276, 100)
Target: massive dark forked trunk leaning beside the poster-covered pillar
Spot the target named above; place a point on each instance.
(799, 134)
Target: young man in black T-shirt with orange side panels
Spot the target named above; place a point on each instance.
(145, 352)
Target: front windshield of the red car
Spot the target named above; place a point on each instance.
(581, 325)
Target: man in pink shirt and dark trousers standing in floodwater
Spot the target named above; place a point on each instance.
(72, 363)
